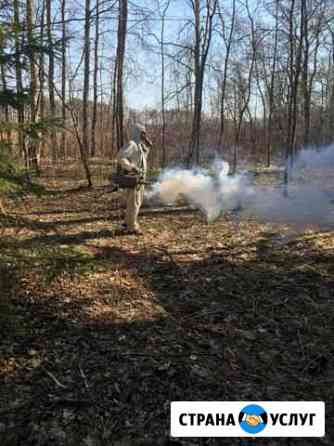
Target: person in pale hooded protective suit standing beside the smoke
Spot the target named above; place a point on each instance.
(132, 158)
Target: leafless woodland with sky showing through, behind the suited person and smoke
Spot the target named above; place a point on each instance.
(244, 79)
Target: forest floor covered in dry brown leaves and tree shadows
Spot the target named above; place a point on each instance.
(100, 330)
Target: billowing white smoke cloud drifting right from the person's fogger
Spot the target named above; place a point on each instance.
(214, 191)
